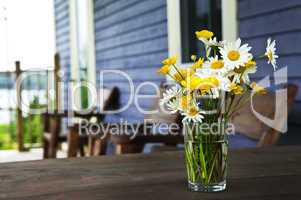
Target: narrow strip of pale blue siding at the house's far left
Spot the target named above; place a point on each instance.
(61, 9)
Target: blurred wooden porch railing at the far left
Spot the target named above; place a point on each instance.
(34, 88)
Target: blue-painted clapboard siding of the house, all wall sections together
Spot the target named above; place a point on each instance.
(131, 35)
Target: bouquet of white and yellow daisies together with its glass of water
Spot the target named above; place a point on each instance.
(217, 81)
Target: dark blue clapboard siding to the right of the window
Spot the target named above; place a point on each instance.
(280, 19)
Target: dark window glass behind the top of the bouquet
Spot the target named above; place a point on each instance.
(197, 15)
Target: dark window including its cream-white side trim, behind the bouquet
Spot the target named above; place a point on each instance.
(187, 16)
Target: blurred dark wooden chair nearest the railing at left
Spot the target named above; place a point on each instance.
(52, 128)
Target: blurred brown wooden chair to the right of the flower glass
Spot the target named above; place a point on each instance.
(253, 132)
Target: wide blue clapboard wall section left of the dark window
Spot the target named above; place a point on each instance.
(131, 36)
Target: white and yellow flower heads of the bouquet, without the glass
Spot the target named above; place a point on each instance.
(225, 67)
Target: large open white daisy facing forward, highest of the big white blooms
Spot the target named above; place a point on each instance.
(235, 55)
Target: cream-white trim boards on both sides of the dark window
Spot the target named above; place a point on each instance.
(229, 26)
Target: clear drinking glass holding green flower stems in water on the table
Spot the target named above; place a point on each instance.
(206, 153)
